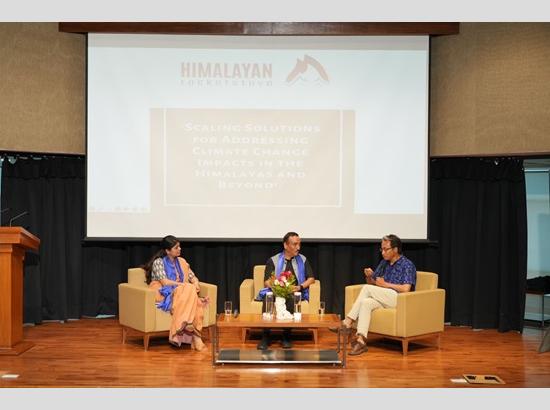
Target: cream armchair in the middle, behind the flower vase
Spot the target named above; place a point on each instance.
(250, 288)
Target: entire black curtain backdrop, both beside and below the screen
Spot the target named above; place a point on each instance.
(477, 217)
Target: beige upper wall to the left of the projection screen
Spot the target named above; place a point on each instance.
(42, 89)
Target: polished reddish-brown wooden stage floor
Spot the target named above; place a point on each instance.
(89, 353)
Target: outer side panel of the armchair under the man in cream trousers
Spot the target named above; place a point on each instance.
(420, 312)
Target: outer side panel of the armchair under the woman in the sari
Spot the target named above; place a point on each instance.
(136, 307)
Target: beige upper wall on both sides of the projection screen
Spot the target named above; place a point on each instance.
(490, 89)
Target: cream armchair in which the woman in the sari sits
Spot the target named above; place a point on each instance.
(137, 312)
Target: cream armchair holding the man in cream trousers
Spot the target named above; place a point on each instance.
(418, 314)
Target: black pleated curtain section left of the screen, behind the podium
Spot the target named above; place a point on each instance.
(51, 189)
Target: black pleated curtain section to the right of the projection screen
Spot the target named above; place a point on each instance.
(478, 214)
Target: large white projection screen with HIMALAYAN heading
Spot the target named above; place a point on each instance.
(237, 137)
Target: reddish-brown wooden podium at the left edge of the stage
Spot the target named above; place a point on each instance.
(14, 241)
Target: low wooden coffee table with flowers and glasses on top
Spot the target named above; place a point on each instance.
(279, 356)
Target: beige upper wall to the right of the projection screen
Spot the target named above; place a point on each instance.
(490, 90)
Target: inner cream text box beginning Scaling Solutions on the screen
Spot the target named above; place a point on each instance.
(221, 154)
